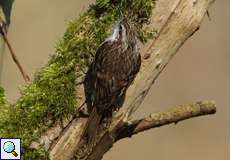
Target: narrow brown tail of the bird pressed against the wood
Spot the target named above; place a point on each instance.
(92, 125)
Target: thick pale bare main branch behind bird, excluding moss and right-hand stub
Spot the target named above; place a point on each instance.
(175, 22)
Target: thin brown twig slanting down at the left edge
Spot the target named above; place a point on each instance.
(13, 55)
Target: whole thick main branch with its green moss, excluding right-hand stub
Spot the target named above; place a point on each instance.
(54, 95)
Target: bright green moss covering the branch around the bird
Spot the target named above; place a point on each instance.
(52, 94)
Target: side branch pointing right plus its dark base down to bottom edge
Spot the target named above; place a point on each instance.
(174, 115)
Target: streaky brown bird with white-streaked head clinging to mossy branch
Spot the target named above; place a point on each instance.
(115, 66)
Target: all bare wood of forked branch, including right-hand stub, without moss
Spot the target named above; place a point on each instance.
(175, 22)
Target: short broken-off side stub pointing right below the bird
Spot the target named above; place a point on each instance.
(173, 115)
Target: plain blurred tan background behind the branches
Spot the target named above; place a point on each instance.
(200, 71)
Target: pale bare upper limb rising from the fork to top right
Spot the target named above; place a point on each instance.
(176, 21)
